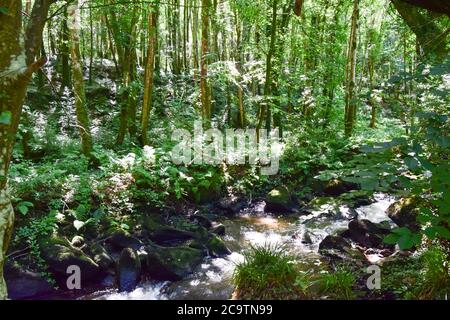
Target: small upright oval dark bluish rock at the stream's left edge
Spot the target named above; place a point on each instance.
(128, 270)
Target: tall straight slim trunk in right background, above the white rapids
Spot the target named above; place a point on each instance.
(350, 103)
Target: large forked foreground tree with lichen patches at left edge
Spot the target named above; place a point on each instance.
(17, 64)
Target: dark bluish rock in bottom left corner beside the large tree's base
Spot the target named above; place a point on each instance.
(24, 284)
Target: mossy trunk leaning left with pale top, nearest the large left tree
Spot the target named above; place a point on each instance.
(77, 79)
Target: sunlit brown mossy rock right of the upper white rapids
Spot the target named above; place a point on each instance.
(404, 213)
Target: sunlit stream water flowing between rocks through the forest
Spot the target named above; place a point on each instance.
(300, 235)
